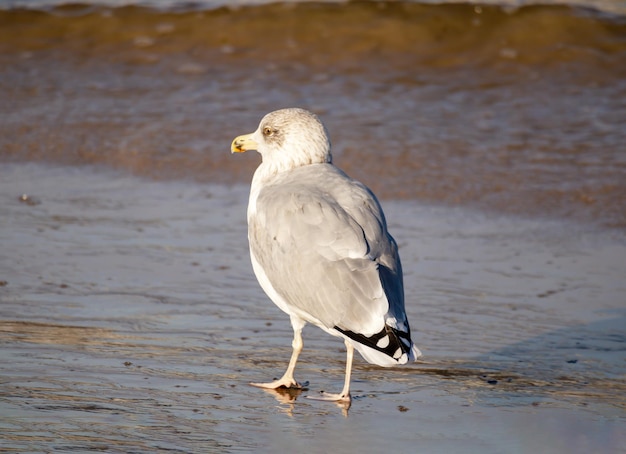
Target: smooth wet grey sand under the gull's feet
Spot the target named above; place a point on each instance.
(130, 321)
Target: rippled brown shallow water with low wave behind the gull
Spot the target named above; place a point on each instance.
(516, 110)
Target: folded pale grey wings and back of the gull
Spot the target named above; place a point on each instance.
(322, 241)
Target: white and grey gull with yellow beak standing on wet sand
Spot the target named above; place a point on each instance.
(320, 248)
